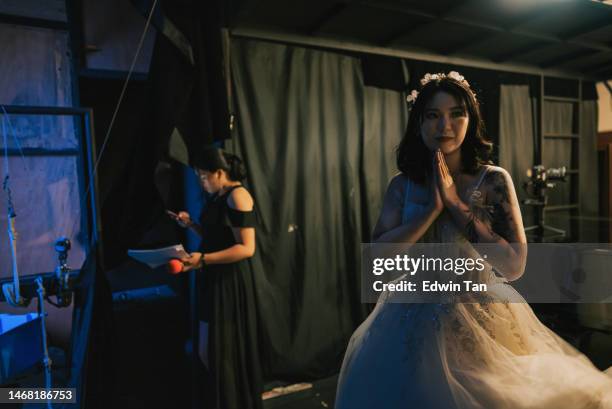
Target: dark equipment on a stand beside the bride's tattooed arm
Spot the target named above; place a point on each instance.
(540, 180)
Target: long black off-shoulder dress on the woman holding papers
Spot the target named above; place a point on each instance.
(227, 302)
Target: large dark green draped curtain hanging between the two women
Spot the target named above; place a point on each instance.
(318, 146)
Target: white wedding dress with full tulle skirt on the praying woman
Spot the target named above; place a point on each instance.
(464, 355)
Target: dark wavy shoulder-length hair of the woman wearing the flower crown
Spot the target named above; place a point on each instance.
(414, 159)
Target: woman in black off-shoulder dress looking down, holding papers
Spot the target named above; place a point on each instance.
(228, 317)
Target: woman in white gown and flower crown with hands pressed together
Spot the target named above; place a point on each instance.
(461, 355)
